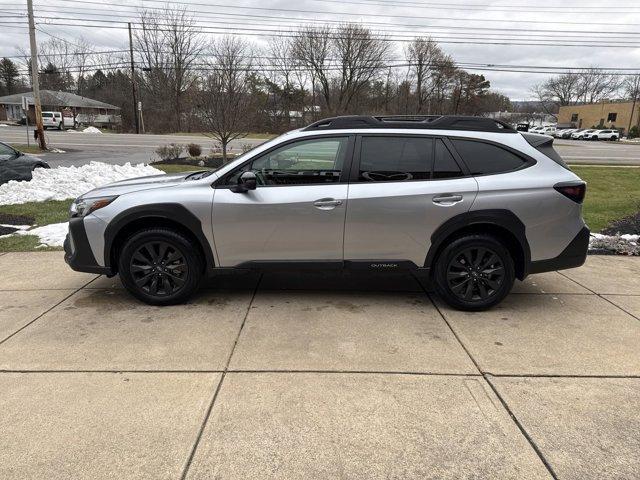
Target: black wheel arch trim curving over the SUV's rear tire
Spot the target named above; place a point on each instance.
(503, 224)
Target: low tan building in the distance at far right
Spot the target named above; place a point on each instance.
(604, 114)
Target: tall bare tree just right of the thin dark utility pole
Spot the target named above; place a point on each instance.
(169, 43)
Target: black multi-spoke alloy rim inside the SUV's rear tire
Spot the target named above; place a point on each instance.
(475, 273)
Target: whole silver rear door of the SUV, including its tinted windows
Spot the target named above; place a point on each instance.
(404, 187)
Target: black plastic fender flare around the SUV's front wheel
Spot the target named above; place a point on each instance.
(167, 211)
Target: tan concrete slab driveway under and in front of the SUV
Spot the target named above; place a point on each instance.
(318, 376)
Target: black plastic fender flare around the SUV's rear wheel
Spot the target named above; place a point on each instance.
(502, 218)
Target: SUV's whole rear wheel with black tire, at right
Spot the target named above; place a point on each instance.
(474, 272)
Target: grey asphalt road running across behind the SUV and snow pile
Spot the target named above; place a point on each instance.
(82, 148)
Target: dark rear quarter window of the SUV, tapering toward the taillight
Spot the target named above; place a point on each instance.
(486, 159)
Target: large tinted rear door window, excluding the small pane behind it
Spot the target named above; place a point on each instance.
(395, 159)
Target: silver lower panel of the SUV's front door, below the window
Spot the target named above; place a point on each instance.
(279, 223)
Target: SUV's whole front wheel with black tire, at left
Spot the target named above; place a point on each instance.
(175, 280)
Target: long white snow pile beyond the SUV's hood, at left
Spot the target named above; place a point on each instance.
(69, 182)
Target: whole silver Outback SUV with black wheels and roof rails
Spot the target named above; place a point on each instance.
(470, 200)
